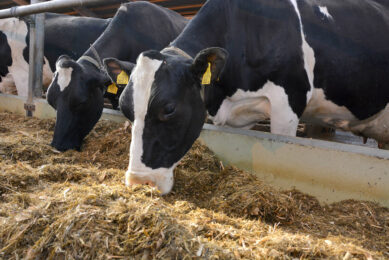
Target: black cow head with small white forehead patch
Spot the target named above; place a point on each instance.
(76, 92)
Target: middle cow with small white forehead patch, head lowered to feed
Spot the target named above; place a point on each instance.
(78, 87)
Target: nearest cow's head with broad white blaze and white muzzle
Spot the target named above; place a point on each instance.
(163, 100)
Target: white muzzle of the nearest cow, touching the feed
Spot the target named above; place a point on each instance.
(160, 178)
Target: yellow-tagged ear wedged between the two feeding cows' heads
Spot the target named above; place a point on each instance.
(115, 67)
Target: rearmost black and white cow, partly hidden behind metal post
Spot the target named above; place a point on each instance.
(64, 34)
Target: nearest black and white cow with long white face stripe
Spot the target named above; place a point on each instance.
(246, 60)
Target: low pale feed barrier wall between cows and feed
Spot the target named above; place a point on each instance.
(327, 170)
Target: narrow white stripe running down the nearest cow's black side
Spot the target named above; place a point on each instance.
(308, 53)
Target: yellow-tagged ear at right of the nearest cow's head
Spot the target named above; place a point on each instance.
(208, 64)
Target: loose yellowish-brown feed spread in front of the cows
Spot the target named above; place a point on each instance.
(75, 206)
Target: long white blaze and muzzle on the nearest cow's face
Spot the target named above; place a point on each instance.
(142, 79)
